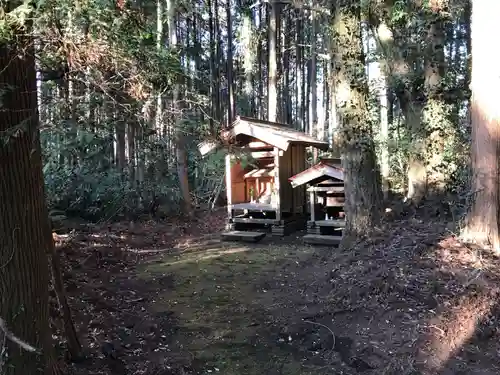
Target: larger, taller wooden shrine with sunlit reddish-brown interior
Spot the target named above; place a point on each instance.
(262, 157)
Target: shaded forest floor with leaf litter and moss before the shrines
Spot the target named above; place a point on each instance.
(170, 298)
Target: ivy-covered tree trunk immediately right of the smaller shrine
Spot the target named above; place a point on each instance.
(362, 182)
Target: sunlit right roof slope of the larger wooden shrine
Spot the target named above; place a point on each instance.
(275, 134)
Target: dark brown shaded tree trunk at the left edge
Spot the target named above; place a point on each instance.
(24, 228)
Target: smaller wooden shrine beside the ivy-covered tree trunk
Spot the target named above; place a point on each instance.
(325, 182)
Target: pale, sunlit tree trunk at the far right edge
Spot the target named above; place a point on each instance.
(482, 219)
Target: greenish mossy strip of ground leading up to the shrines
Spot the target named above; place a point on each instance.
(221, 297)
